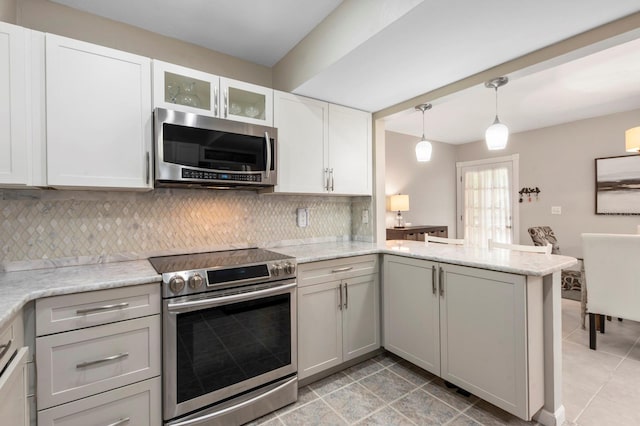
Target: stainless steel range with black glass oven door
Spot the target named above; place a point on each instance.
(229, 335)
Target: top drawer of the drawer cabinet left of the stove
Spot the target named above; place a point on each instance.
(73, 311)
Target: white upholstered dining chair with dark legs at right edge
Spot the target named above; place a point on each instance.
(612, 276)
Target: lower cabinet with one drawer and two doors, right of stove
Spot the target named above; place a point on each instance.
(338, 312)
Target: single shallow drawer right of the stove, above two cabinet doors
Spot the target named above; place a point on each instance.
(323, 271)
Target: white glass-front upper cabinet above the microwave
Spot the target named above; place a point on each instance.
(188, 90)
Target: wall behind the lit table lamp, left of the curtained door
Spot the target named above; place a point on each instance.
(431, 186)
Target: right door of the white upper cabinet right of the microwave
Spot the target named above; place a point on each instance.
(350, 156)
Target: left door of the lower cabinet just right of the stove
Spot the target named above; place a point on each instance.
(319, 328)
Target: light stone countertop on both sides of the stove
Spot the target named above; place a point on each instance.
(18, 288)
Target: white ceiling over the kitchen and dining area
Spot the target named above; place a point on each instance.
(433, 44)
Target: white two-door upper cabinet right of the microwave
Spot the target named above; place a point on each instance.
(322, 148)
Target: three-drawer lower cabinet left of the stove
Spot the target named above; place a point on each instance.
(98, 357)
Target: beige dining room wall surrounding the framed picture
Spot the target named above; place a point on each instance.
(560, 161)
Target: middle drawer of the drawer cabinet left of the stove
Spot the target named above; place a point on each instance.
(80, 363)
